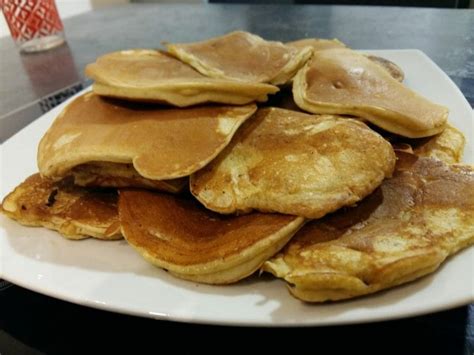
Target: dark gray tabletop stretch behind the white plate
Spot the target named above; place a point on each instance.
(447, 36)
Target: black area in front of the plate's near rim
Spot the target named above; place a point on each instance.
(33, 324)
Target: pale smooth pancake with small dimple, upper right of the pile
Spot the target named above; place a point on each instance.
(342, 81)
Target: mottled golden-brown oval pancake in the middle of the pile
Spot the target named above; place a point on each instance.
(294, 163)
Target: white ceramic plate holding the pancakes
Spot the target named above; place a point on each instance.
(112, 276)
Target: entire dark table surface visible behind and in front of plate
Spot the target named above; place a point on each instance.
(31, 84)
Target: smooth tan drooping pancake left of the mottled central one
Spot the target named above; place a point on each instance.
(161, 143)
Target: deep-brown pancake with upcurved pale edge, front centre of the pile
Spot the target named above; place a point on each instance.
(179, 235)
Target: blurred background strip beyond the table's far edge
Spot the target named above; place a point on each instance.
(69, 8)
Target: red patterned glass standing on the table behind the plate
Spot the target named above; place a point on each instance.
(35, 25)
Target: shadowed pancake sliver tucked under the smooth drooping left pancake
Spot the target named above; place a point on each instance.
(102, 174)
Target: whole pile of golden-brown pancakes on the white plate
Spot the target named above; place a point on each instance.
(219, 158)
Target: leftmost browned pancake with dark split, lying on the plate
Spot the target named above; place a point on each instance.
(73, 211)
